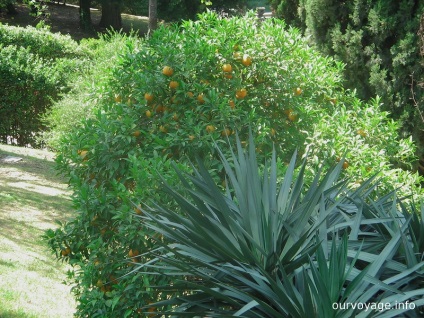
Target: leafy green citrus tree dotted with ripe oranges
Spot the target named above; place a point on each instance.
(171, 97)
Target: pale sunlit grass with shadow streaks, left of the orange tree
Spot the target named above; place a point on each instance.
(32, 199)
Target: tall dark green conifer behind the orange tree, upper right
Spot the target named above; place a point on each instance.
(378, 41)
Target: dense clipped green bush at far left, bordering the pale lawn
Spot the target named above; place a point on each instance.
(35, 68)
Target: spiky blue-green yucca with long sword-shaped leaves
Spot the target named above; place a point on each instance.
(267, 247)
